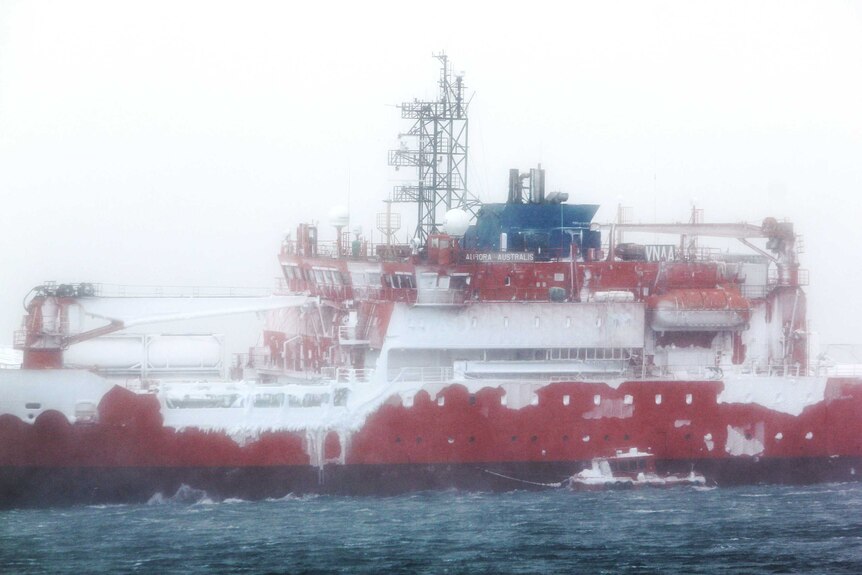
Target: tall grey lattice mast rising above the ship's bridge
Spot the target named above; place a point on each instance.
(436, 145)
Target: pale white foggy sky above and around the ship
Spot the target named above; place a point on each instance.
(173, 143)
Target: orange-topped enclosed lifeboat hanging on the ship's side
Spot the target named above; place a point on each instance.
(698, 310)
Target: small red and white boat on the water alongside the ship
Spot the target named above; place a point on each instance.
(628, 469)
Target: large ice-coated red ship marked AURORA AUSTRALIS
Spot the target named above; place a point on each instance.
(518, 339)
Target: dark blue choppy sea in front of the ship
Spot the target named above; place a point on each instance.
(734, 530)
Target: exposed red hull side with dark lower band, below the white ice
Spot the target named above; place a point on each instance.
(470, 442)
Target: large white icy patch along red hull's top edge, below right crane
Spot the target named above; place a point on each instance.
(786, 395)
